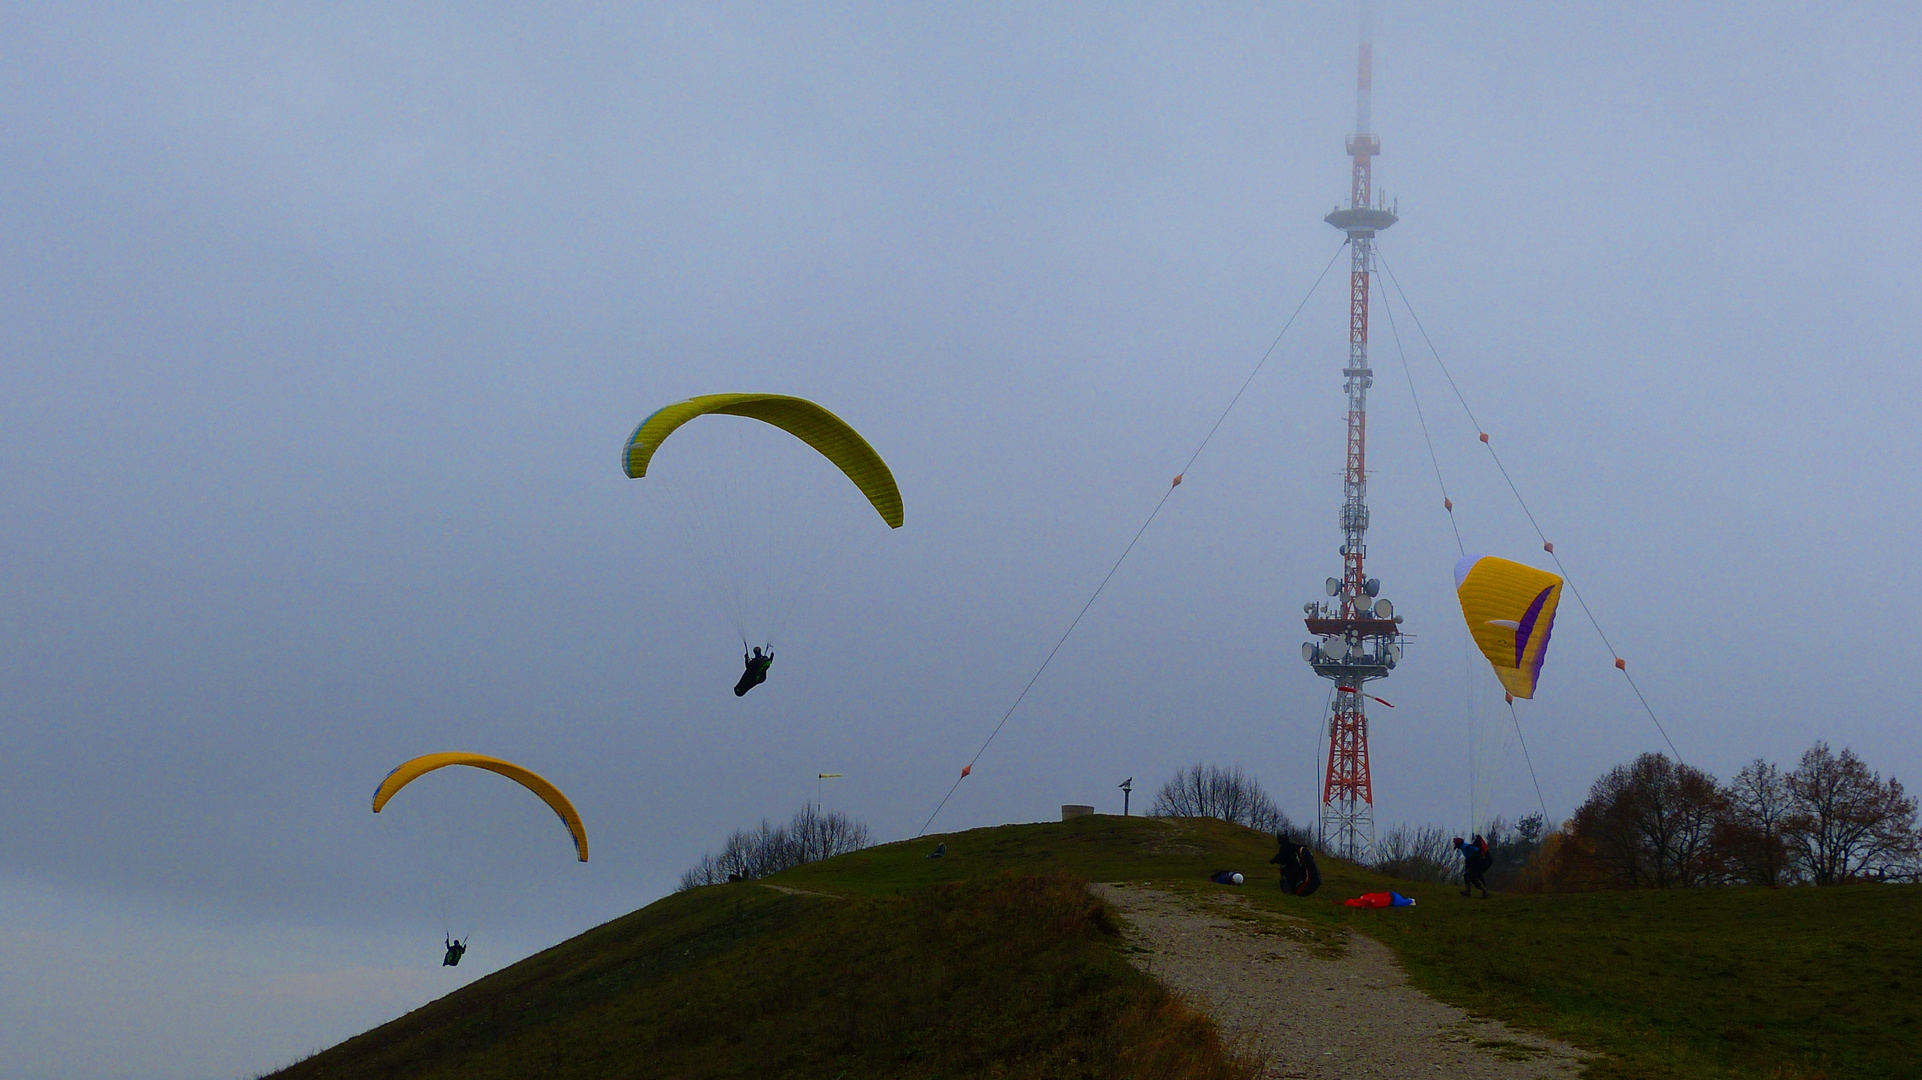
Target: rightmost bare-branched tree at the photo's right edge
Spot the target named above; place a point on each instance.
(1846, 822)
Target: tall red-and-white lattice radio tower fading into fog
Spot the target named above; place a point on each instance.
(1360, 637)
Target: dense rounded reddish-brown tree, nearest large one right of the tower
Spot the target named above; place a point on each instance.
(1650, 825)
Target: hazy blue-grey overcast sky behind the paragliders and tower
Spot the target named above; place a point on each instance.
(326, 324)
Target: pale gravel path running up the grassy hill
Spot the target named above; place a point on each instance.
(1316, 1002)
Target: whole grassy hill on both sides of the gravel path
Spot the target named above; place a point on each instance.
(993, 962)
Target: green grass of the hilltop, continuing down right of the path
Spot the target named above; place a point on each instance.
(1665, 985)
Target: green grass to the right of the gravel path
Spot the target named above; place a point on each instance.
(1708, 983)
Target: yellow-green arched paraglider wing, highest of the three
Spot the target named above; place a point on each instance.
(804, 420)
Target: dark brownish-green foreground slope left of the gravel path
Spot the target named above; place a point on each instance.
(1002, 977)
